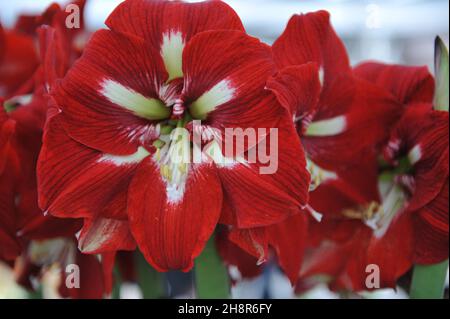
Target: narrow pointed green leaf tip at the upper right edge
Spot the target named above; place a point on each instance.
(441, 73)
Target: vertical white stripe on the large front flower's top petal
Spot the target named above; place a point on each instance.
(172, 53)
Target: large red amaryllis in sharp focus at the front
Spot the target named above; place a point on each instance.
(109, 142)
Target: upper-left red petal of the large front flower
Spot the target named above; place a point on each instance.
(89, 116)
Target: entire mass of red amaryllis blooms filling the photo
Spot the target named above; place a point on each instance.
(135, 128)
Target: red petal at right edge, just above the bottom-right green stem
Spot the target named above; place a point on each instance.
(431, 230)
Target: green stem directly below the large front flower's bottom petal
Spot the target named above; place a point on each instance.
(211, 275)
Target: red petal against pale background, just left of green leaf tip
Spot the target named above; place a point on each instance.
(408, 84)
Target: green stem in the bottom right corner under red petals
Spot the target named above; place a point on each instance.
(429, 281)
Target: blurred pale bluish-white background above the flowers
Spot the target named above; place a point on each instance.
(395, 31)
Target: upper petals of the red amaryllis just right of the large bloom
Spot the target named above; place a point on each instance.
(332, 108)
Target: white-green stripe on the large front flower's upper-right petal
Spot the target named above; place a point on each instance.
(219, 94)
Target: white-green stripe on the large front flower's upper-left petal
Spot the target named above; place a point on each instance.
(133, 101)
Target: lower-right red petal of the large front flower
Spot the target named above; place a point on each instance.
(257, 199)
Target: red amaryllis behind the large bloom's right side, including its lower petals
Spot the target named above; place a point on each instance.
(338, 116)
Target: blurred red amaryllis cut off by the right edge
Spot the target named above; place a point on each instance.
(408, 224)
